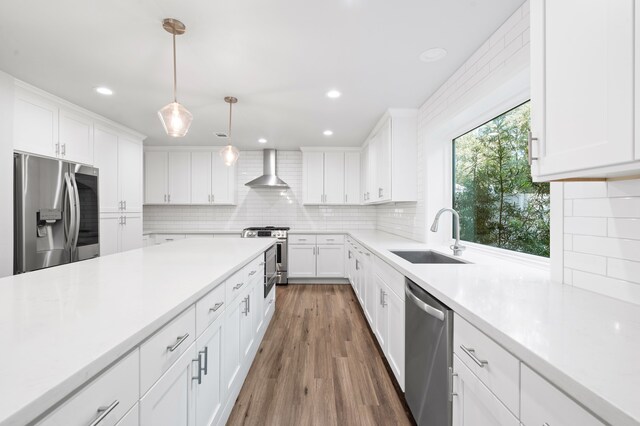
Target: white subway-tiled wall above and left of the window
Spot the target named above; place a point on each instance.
(494, 79)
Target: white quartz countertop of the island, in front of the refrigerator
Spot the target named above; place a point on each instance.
(61, 326)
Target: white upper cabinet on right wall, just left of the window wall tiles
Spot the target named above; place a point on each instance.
(391, 158)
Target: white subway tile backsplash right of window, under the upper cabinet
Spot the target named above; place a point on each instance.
(602, 237)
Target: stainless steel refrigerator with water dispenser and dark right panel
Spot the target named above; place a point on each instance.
(56, 212)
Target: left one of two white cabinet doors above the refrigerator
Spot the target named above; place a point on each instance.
(35, 126)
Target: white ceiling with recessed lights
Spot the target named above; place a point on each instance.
(279, 57)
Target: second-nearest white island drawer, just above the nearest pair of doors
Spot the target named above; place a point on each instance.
(165, 347)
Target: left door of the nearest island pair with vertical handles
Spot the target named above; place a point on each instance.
(171, 402)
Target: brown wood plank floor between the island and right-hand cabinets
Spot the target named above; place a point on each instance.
(318, 365)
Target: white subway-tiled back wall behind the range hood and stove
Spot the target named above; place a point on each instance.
(261, 207)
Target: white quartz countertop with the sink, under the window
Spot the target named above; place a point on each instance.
(585, 343)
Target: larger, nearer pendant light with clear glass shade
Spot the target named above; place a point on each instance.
(175, 118)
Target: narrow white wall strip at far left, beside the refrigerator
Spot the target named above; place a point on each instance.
(6, 174)
